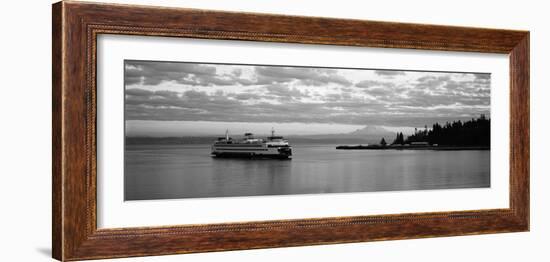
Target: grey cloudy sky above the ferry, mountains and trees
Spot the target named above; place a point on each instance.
(178, 99)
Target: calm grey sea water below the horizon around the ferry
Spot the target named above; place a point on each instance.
(188, 171)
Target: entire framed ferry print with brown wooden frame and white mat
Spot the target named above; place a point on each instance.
(182, 130)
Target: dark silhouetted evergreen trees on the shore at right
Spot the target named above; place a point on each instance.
(474, 132)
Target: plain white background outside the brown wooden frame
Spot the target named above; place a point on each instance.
(25, 117)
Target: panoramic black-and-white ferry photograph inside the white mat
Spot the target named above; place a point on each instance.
(202, 130)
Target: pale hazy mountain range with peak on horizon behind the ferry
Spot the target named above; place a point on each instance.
(366, 135)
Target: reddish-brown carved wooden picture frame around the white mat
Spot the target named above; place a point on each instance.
(76, 26)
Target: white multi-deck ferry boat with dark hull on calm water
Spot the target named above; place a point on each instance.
(250, 147)
